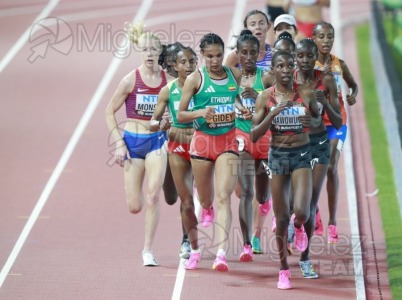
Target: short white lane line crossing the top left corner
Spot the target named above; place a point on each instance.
(25, 36)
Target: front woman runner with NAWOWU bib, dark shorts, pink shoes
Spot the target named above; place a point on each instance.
(286, 113)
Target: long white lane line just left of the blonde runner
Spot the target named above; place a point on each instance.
(68, 151)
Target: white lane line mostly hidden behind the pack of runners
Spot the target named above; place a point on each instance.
(236, 24)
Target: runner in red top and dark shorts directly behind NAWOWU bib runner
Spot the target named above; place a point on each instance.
(324, 87)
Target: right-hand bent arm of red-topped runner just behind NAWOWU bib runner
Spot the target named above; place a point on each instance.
(331, 104)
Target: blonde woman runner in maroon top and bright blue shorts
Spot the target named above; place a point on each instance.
(138, 150)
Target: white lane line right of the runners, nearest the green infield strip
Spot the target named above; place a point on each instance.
(350, 176)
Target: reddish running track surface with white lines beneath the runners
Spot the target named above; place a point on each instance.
(80, 242)
